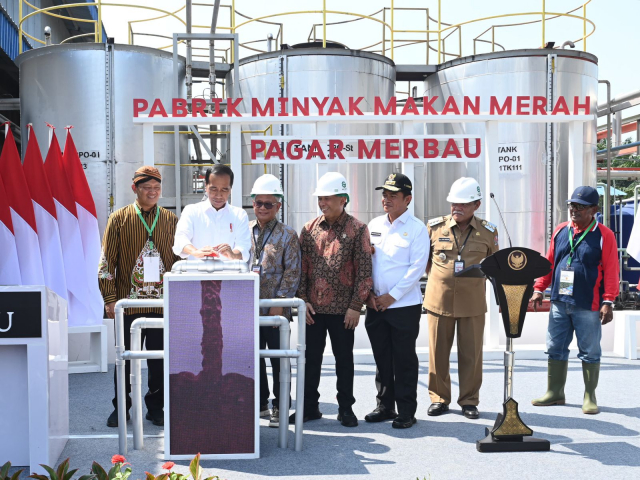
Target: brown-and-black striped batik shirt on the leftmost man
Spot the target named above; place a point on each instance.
(124, 243)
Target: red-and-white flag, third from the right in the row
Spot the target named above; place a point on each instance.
(46, 219)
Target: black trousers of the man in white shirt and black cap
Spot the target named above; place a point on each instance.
(393, 334)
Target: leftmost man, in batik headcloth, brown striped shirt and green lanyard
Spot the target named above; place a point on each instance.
(136, 252)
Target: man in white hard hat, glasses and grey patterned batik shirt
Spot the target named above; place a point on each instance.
(275, 256)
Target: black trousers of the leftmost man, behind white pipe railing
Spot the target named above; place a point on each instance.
(152, 338)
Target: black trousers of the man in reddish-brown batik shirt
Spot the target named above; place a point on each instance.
(342, 345)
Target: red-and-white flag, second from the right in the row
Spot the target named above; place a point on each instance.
(72, 252)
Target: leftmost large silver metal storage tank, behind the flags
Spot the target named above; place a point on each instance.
(92, 86)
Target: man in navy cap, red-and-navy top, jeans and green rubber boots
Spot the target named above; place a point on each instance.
(584, 283)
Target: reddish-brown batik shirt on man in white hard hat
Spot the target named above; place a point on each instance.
(336, 265)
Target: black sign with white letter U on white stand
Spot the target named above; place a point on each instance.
(20, 315)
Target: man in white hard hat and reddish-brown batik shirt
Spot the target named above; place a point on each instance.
(335, 283)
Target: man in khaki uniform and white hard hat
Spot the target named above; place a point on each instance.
(455, 304)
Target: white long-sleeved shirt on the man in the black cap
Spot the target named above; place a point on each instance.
(400, 257)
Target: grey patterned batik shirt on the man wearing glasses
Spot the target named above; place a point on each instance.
(280, 260)
